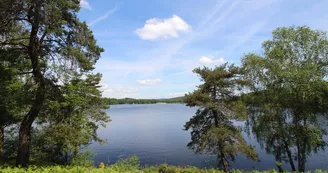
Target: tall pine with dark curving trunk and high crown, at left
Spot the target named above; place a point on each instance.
(57, 43)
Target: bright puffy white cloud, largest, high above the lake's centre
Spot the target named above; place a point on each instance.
(156, 28)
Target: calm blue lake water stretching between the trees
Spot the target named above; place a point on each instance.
(154, 134)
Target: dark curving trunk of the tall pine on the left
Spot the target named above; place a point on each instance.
(33, 52)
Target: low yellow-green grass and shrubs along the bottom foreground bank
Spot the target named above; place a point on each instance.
(129, 165)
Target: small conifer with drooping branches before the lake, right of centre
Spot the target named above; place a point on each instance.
(218, 101)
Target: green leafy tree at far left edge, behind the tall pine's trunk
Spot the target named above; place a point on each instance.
(12, 89)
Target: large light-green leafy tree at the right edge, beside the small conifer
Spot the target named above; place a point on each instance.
(290, 79)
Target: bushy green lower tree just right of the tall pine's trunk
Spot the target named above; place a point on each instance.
(72, 119)
